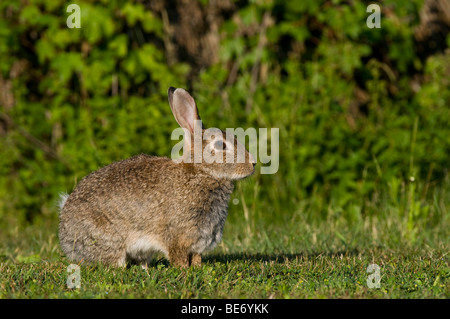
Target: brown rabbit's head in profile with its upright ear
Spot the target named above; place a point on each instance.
(211, 150)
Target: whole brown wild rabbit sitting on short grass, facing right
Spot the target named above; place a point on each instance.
(129, 210)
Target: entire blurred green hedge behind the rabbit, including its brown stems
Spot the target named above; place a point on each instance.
(363, 113)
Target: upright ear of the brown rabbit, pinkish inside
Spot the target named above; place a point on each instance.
(183, 108)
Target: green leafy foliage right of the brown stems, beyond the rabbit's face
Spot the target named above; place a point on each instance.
(330, 146)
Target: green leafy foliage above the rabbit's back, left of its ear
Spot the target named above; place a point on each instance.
(93, 95)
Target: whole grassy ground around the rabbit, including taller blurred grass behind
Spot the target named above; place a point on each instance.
(294, 254)
